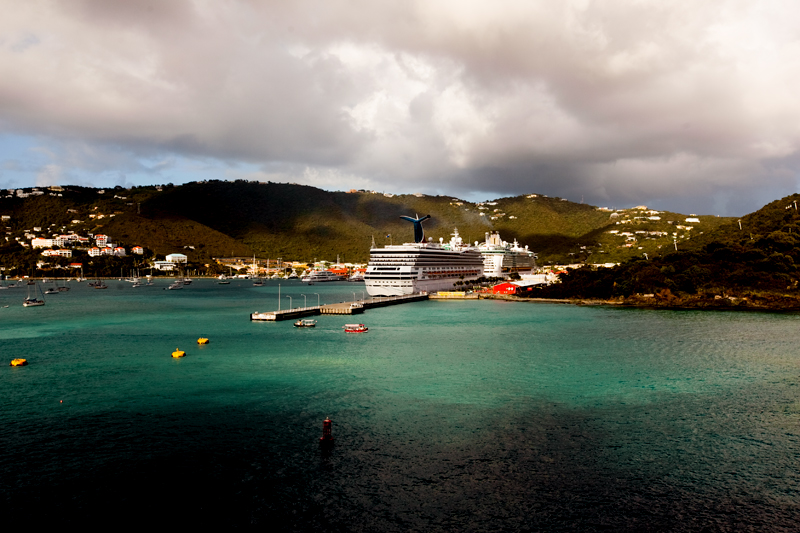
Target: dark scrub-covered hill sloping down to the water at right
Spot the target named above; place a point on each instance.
(752, 266)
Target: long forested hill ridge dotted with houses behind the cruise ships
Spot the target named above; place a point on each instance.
(270, 220)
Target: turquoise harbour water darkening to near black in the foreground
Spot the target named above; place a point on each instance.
(448, 415)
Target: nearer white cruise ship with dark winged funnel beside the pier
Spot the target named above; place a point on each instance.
(421, 266)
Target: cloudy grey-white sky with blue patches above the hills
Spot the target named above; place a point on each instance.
(682, 105)
